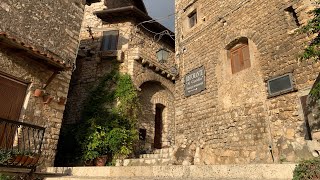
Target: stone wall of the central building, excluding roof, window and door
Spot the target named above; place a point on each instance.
(137, 46)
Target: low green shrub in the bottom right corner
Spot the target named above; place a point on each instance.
(307, 170)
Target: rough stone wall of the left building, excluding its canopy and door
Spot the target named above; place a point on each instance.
(53, 28)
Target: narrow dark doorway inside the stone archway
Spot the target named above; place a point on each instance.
(158, 126)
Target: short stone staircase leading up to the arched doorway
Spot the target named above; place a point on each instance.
(159, 157)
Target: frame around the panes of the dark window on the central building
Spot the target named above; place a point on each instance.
(109, 36)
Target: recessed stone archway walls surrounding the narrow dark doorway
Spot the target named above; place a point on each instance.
(152, 94)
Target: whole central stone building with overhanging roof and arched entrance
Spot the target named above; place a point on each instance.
(122, 32)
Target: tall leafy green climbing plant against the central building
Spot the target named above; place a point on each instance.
(109, 118)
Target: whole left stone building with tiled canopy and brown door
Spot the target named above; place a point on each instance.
(38, 47)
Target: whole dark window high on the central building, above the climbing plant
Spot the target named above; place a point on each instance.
(110, 40)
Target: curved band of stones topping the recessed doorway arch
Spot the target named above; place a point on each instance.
(146, 77)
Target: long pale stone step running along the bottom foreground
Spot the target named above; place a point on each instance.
(226, 172)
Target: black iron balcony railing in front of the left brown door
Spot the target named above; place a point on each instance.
(20, 144)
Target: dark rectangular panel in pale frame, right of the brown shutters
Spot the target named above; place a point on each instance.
(280, 85)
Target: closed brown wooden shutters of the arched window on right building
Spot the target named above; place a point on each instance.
(240, 56)
